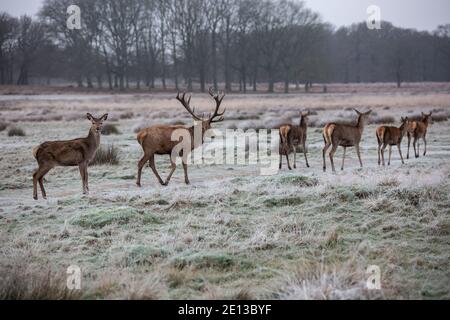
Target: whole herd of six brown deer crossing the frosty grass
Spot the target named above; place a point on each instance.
(158, 140)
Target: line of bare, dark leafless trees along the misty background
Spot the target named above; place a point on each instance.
(193, 43)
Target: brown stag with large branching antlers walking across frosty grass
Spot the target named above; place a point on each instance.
(158, 139)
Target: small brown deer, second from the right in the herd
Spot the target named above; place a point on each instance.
(391, 136)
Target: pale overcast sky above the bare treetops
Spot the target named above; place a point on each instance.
(419, 14)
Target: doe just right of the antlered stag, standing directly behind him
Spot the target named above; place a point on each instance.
(291, 137)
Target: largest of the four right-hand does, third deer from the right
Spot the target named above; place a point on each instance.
(344, 135)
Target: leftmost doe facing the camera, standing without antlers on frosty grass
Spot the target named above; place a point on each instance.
(78, 152)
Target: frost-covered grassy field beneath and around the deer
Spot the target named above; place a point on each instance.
(232, 233)
